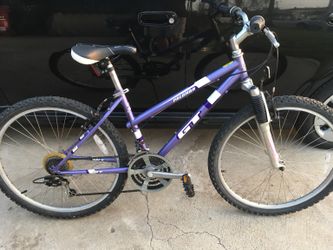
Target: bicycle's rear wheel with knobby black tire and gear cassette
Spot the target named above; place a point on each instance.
(33, 135)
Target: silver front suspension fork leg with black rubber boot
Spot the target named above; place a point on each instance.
(264, 120)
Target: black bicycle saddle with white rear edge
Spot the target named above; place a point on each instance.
(91, 53)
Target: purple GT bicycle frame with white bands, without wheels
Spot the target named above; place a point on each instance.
(236, 70)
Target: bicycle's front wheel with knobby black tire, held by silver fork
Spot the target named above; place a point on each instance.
(241, 171)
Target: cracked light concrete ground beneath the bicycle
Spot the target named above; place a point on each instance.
(168, 219)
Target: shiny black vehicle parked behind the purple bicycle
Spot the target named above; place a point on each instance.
(176, 39)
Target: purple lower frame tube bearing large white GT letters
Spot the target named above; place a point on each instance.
(199, 114)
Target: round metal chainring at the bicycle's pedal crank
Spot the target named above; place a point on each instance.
(141, 164)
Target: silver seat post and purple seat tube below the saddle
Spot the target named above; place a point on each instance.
(119, 92)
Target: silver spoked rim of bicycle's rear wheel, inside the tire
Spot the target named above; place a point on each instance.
(31, 148)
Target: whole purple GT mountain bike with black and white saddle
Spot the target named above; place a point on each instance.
(61, 158)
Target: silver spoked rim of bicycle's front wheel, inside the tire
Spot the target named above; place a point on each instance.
(258, 192)
